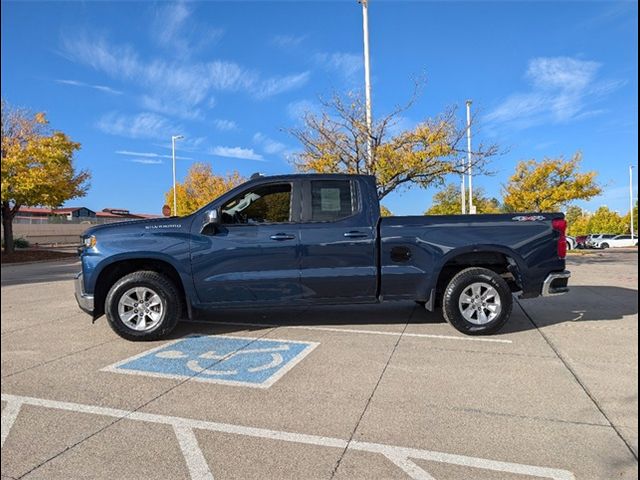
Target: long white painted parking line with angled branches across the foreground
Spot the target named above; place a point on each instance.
(198, 468)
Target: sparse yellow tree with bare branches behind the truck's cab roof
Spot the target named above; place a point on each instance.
(335, 140)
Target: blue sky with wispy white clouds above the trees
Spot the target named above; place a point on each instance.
(546, 79)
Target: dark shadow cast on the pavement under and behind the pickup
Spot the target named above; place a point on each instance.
(582, 304)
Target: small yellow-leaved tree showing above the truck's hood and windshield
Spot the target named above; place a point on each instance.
(200, 187)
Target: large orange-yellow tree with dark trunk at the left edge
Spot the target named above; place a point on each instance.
(37, 166)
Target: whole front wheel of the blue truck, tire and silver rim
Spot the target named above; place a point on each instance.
(143, 305)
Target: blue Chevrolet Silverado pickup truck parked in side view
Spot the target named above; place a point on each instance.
(310, 240)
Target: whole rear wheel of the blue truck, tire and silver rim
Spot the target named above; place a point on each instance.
(477, 301)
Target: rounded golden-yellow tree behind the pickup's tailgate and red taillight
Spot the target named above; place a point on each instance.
(548, 185)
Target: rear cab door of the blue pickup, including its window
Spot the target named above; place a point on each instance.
(337, 241)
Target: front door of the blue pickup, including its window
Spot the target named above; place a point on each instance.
(252, 257)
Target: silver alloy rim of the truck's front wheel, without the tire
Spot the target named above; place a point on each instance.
(140, 308)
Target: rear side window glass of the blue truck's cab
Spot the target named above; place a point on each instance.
(331, 200)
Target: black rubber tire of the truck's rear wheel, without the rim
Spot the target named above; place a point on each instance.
(456, 287)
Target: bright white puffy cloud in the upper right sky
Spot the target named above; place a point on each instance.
(562, 90)
